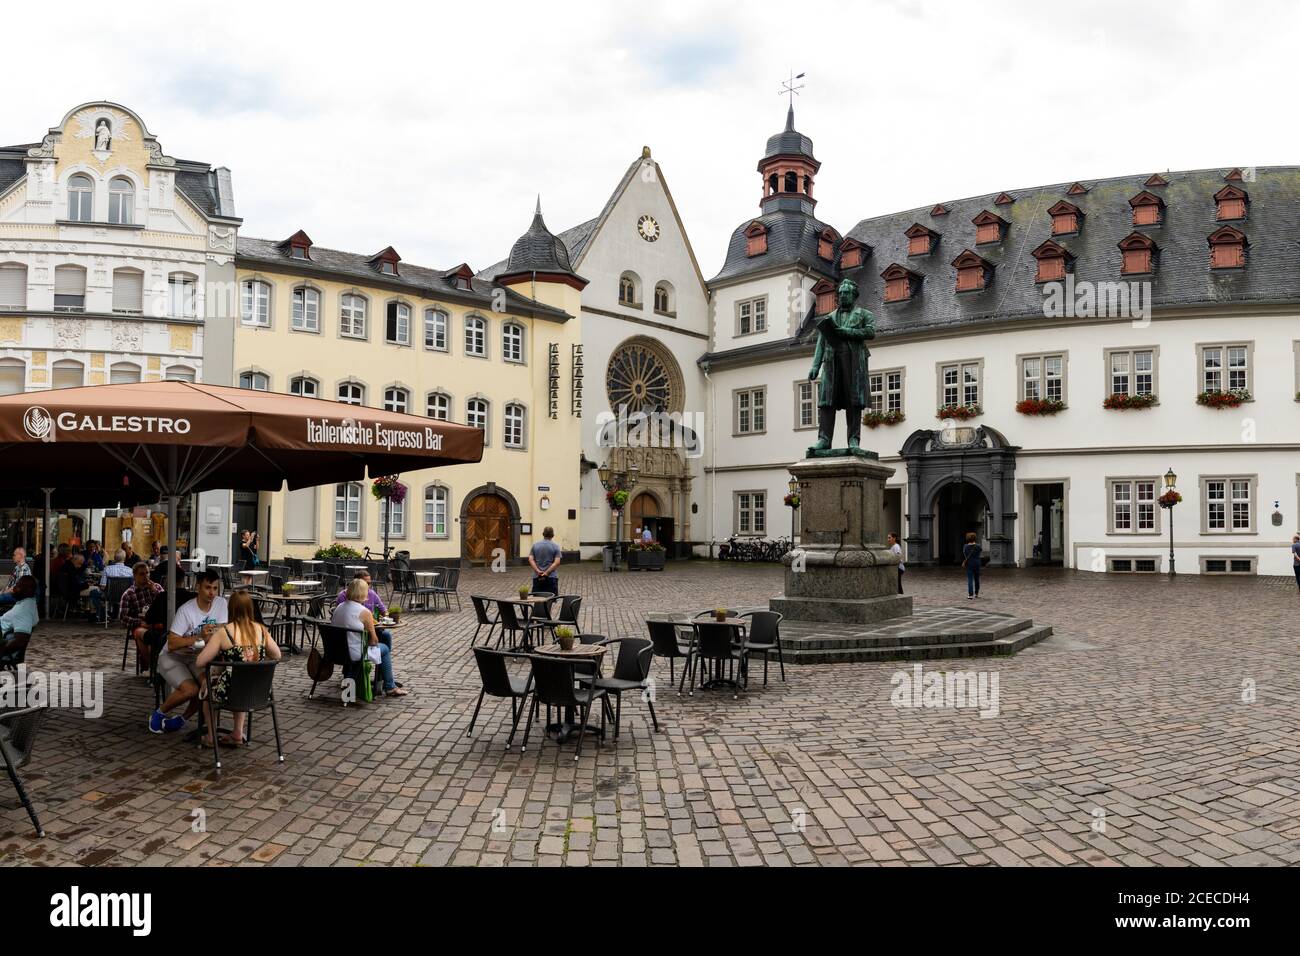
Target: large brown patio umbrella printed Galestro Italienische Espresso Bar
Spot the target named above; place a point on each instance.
(181, 438)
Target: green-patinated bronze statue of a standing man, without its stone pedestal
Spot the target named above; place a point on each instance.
(842, 361)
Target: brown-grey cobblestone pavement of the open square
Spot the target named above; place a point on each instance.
(1130, 737)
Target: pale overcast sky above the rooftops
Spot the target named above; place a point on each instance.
(432, 128)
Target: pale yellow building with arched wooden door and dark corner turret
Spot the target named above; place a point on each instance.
(379, 332)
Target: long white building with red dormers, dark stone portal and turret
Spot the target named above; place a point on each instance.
(1047, 364)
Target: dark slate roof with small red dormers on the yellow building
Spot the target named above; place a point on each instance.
(419, 280)
